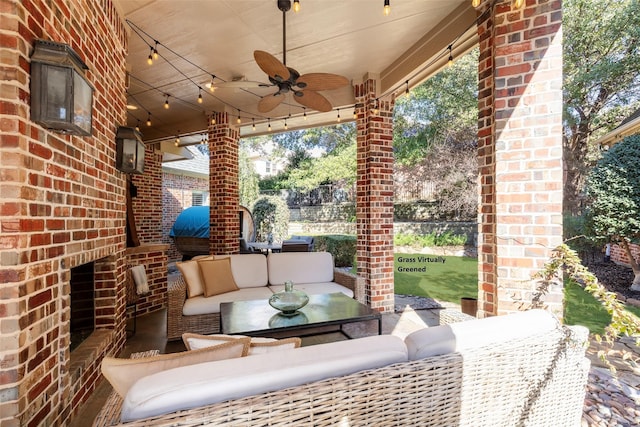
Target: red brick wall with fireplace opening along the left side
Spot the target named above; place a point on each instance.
(63, 204)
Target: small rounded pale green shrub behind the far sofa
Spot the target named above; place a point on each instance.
(271, 215)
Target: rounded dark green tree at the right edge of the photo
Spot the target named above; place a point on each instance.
(614, 187)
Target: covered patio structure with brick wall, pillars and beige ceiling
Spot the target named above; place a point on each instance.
(64, 204)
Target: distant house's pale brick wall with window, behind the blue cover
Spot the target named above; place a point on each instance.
(177, 193)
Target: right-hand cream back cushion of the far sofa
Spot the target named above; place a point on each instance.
(300, 267)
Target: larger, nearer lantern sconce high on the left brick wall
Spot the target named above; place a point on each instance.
(61, 97)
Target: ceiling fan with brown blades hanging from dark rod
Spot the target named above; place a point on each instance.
(303, 87)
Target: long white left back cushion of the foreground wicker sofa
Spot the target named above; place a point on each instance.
(206, 383)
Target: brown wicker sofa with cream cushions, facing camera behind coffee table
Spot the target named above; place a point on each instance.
(257, 277)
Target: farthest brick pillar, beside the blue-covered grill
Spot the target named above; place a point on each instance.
(224, 191)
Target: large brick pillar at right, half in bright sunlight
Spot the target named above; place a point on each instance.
(519, 153)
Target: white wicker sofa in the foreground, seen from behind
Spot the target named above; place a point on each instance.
(522, 369)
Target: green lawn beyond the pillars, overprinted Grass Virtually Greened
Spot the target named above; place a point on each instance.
(457, 277)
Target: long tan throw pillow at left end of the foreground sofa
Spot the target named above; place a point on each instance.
(123, 373)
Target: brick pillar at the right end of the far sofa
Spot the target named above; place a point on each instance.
(374, 198)
